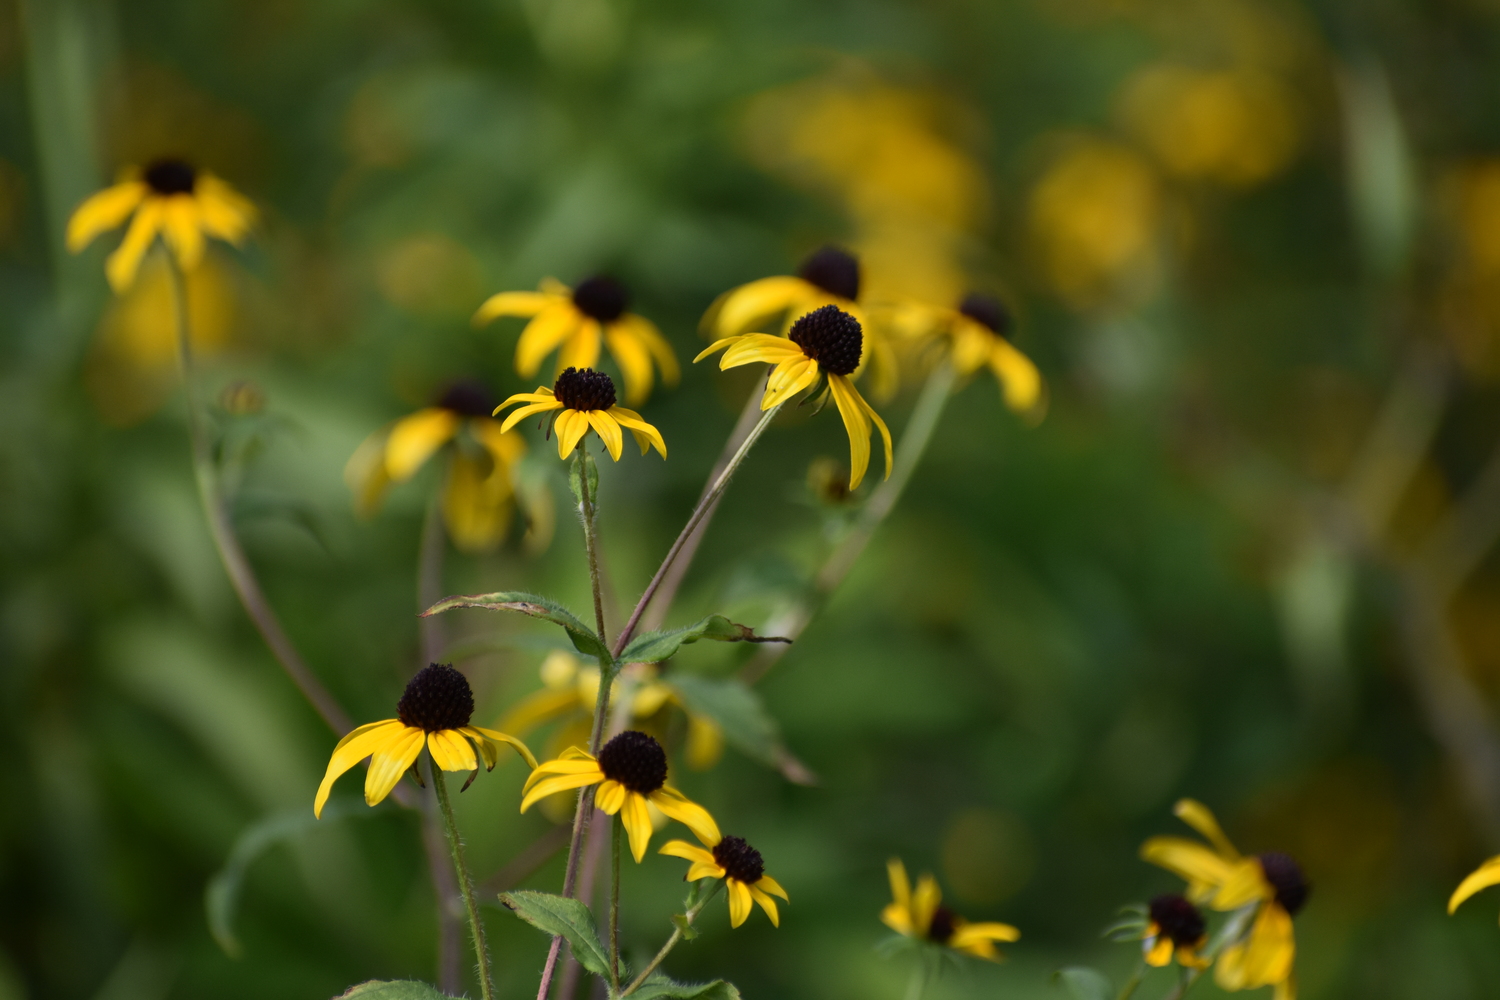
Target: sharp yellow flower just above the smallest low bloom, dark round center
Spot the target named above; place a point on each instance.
(631, 773)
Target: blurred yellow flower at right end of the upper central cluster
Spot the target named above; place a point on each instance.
(976, 338)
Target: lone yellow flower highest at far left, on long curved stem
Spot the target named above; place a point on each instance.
(169, 197)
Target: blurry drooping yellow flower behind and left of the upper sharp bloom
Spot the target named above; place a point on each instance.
(481, 491)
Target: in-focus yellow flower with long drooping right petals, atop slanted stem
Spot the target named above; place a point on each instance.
(823, 349)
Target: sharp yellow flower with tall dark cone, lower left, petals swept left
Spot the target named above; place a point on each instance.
(434, 713)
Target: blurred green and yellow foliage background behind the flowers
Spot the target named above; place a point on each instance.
(1255, 247)
